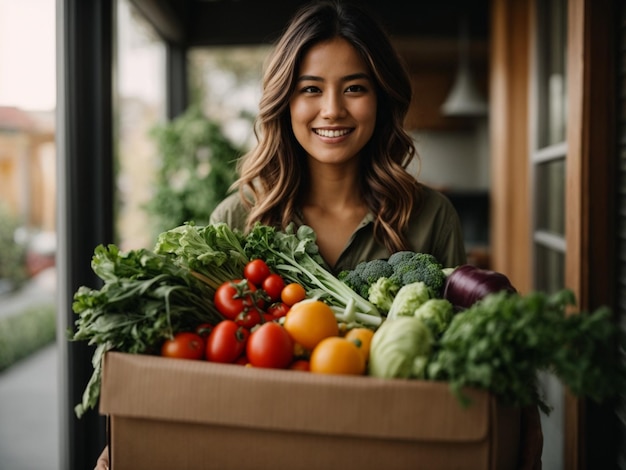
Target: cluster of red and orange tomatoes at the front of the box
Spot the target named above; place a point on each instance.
(269, 323)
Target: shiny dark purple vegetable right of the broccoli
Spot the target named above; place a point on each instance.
(468, 284)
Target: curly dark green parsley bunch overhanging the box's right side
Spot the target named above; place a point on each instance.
(504, 340)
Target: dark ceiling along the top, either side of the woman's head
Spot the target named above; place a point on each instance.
(235, 22)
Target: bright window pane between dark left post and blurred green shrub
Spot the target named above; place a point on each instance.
(139, 104)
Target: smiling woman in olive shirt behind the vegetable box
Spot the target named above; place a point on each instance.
(332, 149)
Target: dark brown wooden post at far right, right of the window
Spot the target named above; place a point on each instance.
(590, 185)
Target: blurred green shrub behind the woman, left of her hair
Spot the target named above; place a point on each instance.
(197, 169)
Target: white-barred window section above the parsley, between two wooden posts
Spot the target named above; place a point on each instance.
(549, 149)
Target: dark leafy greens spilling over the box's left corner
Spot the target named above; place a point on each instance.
(145, 299)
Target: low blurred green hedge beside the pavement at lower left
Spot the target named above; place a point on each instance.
(23, 333)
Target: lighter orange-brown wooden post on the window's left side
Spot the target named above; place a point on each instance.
(509, 130)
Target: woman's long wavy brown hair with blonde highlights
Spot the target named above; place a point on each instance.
(273, 177)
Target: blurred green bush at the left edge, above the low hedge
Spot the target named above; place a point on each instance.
(12, 255)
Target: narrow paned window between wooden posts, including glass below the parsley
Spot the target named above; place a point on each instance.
(548, 160)
